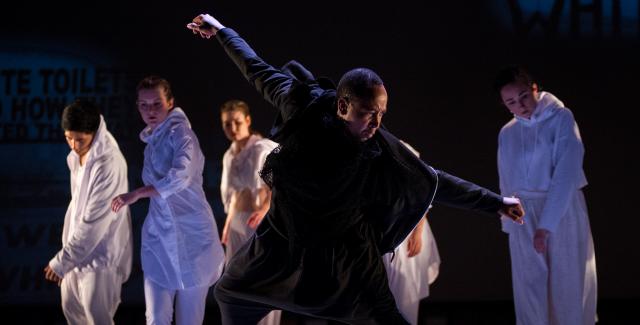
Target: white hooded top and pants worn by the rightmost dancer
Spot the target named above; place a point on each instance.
(540, 161)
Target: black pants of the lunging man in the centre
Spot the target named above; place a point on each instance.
(346, 282)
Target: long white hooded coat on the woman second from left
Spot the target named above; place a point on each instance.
(180, 243)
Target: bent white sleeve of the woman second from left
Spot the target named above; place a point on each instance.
(180, 174)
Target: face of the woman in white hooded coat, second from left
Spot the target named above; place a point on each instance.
(154, 106)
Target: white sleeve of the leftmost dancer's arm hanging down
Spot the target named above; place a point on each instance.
(95, 222)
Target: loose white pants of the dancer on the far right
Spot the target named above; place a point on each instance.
(558, 287)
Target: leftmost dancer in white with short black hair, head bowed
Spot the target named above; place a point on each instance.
(95, 258)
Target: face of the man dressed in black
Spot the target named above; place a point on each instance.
(364, 115)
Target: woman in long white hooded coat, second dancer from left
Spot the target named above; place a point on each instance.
(181, 252)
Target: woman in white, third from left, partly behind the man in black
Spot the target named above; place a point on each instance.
(245, 195)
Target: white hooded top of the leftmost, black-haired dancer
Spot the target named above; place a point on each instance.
(94, 237)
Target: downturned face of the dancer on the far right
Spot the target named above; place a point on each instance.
(520, 98)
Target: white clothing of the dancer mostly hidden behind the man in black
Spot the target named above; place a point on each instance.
(410, 277)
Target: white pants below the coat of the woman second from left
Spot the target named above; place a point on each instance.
(189, 304)
